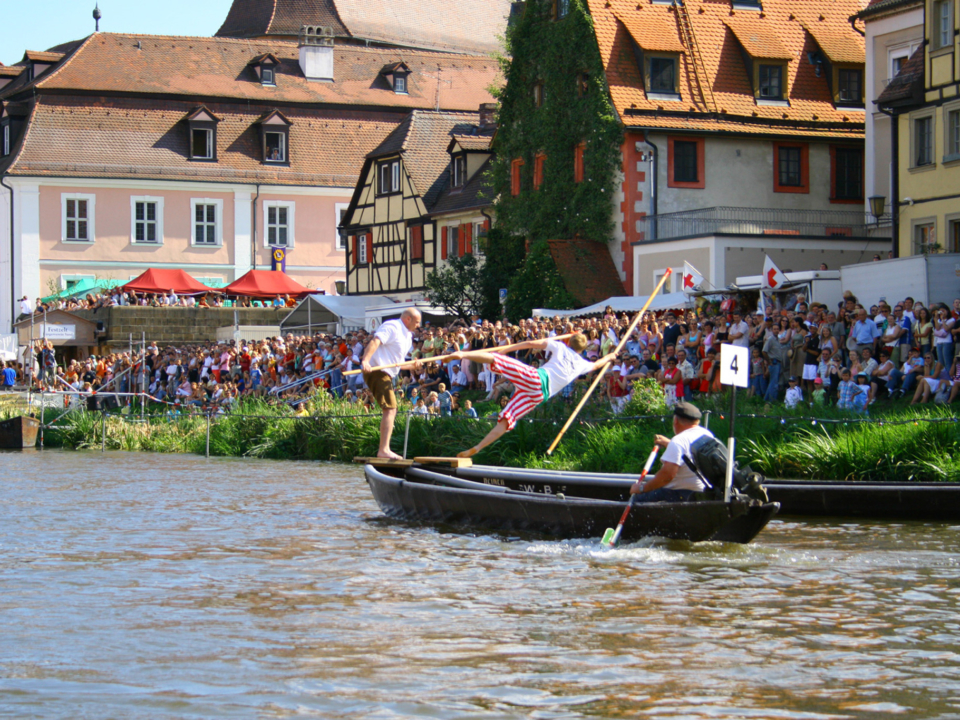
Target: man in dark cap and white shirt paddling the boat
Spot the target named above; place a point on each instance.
(675, 481)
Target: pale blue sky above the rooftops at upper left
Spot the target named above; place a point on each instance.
(40, 24)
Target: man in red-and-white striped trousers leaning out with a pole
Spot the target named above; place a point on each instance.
(533, 385)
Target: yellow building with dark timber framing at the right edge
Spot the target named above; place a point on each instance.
(924, 101)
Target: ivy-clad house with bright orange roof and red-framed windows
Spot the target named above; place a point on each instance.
(742, 131)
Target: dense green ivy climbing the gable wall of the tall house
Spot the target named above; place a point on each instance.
(562, 56)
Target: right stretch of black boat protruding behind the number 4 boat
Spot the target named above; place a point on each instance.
(867, 500)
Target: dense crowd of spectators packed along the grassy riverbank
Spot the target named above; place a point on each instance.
(808, 353)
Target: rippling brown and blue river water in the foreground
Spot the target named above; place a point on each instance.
(171, 586)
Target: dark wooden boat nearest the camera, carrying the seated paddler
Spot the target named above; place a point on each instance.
(566, 505)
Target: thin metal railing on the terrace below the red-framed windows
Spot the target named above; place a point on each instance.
(761, 221)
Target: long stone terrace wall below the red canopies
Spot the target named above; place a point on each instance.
(174, 325)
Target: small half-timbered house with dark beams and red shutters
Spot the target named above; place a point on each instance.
(417, 203)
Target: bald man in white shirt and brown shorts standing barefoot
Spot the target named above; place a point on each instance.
(390, 345)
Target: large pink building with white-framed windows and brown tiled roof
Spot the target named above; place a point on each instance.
(123, 152)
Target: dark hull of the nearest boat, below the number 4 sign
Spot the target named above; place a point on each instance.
(414, 497)
